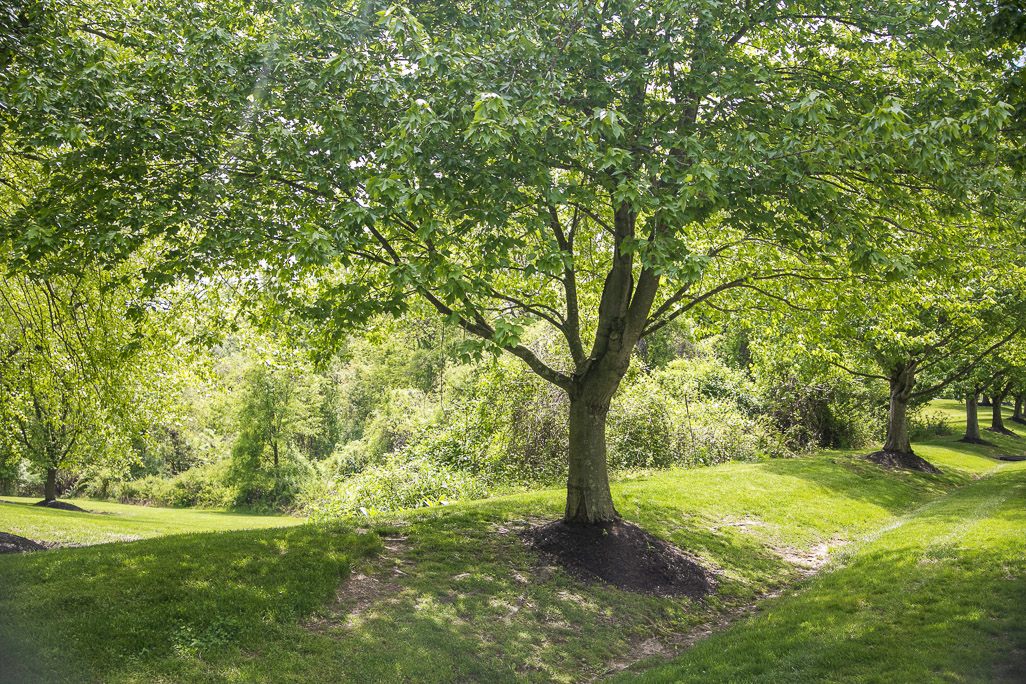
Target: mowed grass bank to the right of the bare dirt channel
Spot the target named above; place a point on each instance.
(940, 596)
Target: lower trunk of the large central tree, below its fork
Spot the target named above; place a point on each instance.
(588, 497)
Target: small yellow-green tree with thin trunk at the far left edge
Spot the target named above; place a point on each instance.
(76, 383)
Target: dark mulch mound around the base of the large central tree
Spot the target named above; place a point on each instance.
(623, 555)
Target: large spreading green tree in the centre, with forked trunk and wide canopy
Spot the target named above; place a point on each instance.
(604, 169)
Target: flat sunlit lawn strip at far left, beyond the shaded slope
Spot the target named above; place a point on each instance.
(119, 522)
